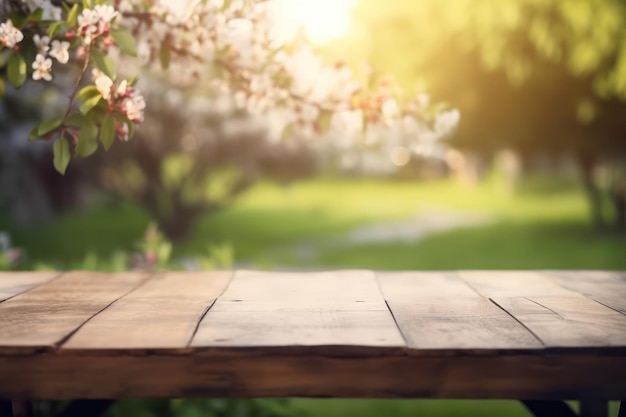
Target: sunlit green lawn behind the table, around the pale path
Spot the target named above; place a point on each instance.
(543, 226)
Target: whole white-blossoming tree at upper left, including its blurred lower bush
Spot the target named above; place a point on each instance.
(223, 49)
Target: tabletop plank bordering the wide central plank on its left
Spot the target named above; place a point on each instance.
(161, 314)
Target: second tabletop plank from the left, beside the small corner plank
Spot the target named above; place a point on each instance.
(46, 315)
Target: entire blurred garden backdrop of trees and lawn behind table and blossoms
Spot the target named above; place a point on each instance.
(534, 178)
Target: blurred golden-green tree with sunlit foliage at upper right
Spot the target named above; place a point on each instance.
(538, 76)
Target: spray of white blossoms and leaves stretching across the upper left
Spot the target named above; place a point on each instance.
(230, 46)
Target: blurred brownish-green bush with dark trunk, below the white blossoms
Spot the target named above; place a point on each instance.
(194, 159)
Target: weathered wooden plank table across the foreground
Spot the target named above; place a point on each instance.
(518, 335)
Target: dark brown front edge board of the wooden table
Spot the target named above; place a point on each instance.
(521, 376)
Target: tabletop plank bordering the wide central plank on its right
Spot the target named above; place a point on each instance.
(437, 310)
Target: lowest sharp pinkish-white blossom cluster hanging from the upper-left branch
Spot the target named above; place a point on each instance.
(122, 97)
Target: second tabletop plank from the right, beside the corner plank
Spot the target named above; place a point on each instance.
(558, 316)
